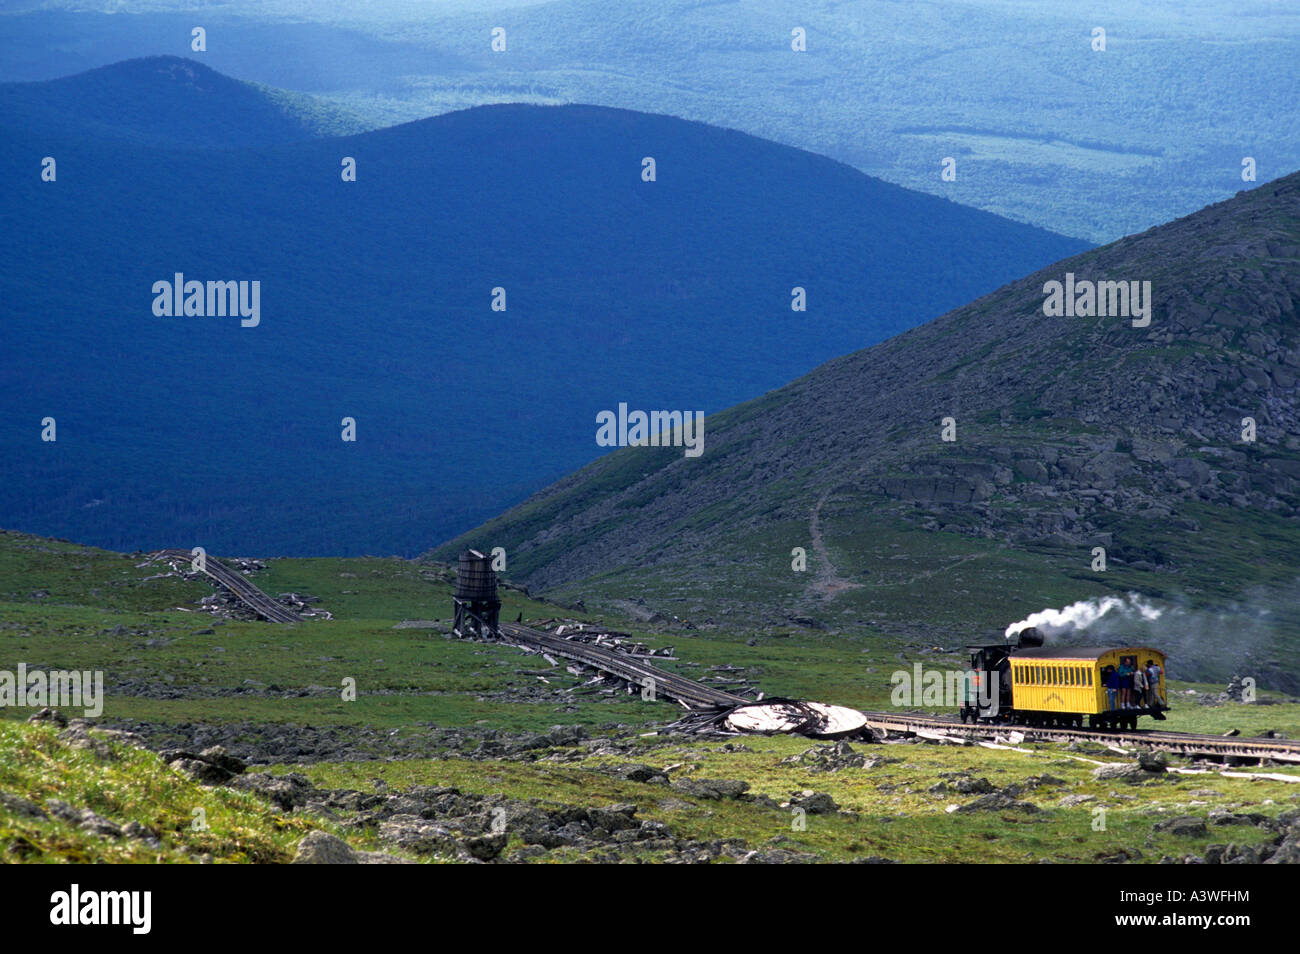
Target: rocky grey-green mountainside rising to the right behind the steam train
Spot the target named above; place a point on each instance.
(1072, 433)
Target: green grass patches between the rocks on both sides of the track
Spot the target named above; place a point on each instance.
(414, 682)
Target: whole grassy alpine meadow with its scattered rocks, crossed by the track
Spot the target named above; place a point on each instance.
(443, 739)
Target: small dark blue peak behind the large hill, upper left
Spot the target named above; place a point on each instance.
(168, 101)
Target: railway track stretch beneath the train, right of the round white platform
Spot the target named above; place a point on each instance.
(1177, 743)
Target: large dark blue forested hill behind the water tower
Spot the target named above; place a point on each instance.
(376, 305)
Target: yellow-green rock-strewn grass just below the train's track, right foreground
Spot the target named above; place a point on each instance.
(892, 812)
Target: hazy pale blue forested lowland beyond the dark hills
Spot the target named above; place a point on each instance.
(1045, 128)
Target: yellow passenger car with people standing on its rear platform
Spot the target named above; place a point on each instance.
(1060, 686)
